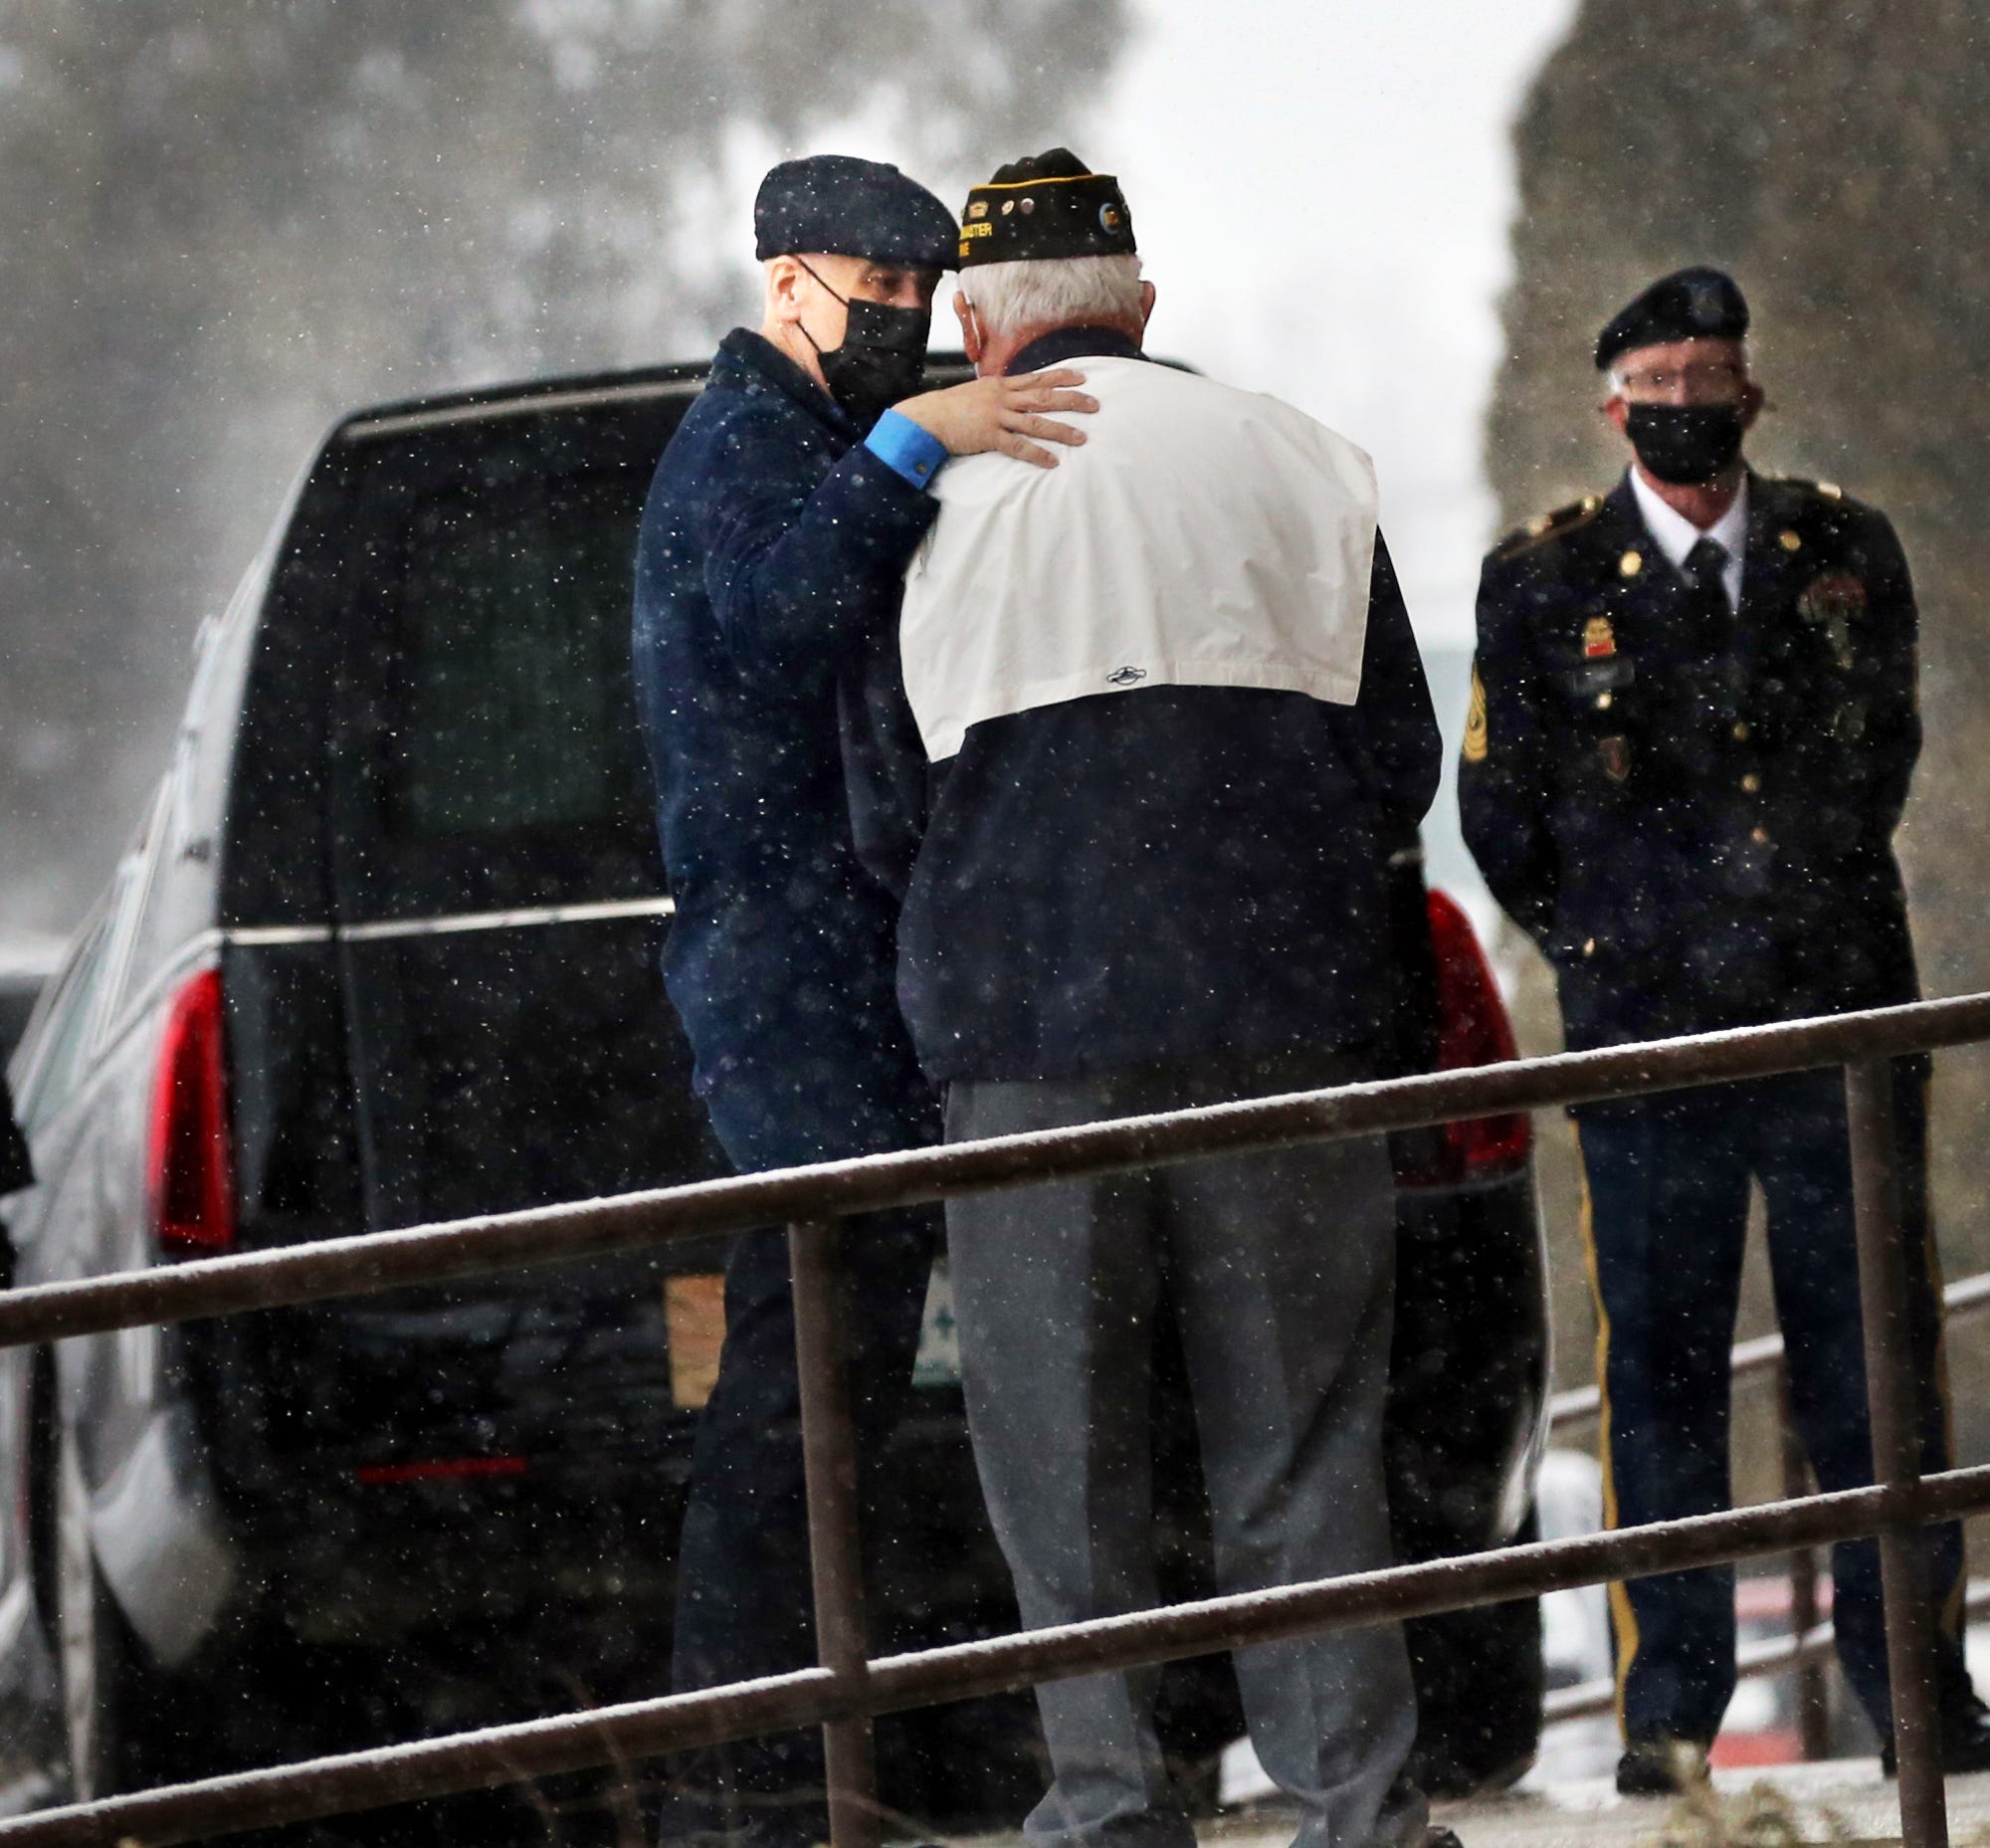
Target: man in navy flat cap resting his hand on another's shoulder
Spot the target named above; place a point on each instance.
(771, 559)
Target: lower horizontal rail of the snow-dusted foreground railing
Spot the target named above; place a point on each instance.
(811, 1698)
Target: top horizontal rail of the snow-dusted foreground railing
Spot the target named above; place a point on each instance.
(833, 1190)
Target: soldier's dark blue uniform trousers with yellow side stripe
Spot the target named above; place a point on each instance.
(1667, 1208)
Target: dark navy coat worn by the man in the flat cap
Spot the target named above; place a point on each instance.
(771, 559)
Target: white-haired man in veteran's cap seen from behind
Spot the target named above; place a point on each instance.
(1173, 722)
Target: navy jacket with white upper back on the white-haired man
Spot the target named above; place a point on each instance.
(1169, 718)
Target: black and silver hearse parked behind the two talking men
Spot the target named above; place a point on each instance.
(385, 951)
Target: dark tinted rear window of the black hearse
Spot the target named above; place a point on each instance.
(487, 748)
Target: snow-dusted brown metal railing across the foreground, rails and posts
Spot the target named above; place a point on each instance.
(849, 1690)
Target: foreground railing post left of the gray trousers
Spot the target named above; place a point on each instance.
(837, 1562)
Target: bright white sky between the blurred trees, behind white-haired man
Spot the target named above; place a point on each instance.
(1322, 196)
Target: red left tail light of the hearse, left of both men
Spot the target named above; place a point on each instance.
(192, 1162)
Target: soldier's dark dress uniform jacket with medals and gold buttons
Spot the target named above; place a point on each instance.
(1694, 817)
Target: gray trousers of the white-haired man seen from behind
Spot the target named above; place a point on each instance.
(1281, 1273)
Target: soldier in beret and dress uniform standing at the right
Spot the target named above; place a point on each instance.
(1691, 740)
